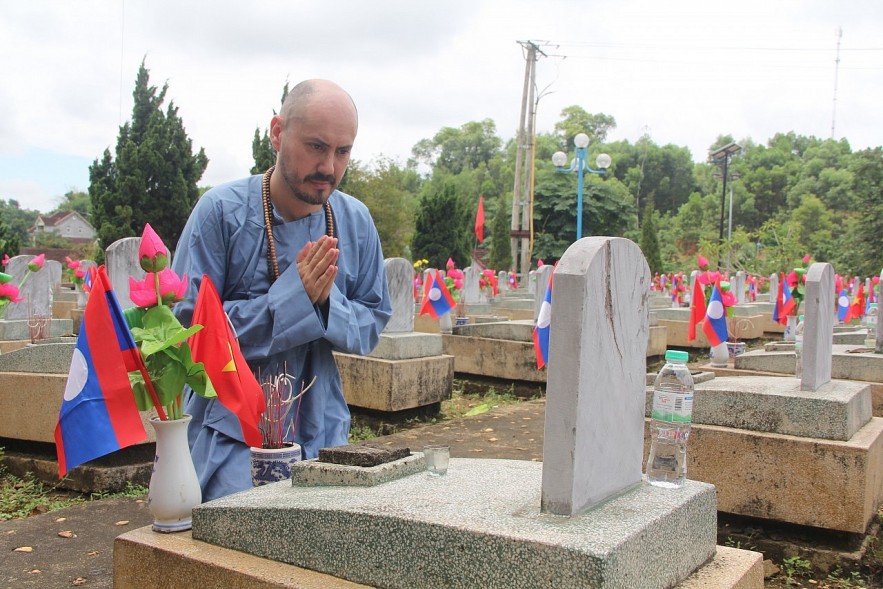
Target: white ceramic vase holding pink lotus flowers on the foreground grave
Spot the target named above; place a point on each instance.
(174, 487)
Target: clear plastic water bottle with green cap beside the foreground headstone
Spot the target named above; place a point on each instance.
(670, 422)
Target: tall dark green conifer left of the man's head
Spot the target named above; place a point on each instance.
(153, 178)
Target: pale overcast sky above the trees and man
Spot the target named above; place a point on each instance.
(683, 71)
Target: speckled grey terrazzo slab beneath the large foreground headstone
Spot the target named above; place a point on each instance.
(478, 526)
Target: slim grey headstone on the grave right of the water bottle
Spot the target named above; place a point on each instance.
(818, 327)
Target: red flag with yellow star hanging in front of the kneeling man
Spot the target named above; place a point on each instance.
(216, 347)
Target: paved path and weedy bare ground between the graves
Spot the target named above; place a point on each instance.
(52, 538)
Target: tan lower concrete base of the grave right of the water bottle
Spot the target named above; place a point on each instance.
(826, 484)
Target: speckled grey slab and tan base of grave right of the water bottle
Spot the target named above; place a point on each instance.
(774, 452)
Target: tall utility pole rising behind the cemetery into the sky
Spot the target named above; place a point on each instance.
(522, 193)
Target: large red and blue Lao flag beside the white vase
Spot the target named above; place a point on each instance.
(98, 413)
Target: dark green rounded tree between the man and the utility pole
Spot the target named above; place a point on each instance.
(443, 228)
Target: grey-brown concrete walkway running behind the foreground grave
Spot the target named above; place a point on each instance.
(58, 559)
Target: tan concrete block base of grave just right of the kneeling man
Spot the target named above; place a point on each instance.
(395, 385)
